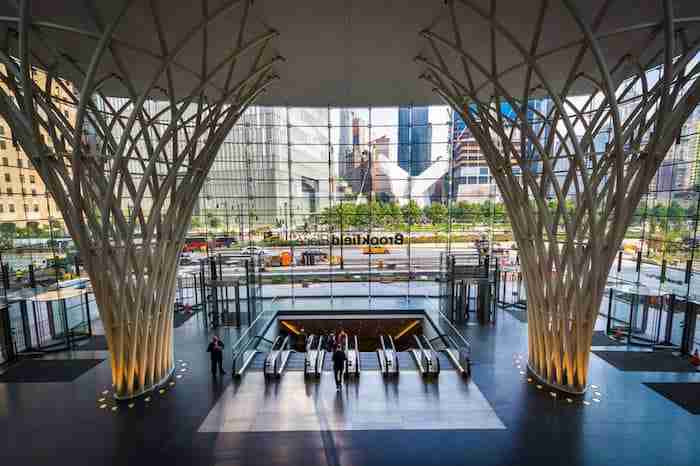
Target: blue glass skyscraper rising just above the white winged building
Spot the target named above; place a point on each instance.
(415, 138)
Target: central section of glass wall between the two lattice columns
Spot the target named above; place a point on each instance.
(357, 200)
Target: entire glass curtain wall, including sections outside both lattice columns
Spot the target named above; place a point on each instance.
(358, 204)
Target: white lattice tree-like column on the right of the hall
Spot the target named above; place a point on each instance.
(570, 174)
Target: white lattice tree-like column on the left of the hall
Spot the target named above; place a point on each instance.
(125, 172)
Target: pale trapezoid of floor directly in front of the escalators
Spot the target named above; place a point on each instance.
(370, 403)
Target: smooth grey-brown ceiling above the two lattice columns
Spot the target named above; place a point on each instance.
(339, 52)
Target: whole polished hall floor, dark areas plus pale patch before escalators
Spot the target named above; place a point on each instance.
(52, 411)
